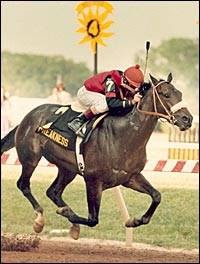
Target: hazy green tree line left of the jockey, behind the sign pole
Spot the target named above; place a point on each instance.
(35, 75)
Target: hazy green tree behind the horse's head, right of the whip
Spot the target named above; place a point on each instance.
(181, 57)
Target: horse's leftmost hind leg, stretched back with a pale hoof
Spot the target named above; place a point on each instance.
(24, 185)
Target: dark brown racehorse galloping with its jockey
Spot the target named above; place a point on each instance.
(115, 154)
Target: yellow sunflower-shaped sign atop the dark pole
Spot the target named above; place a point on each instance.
(93, 22)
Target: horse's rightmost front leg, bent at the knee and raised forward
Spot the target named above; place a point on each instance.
(140, 184)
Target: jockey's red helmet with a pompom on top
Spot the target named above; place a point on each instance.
(134, 76)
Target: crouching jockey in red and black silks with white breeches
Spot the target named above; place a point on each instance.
(111, 91)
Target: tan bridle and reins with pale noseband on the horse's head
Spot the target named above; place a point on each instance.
(169, 114)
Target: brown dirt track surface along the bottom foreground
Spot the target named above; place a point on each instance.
(69, 251)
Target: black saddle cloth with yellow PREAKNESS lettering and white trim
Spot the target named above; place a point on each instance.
(57, 130)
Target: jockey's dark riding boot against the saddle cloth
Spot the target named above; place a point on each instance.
(78, 122)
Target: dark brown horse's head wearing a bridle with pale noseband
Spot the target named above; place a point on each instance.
(168, 103)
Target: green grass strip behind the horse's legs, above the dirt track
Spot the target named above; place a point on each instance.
(174, 224)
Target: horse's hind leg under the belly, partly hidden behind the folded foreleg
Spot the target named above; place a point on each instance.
(55, 191)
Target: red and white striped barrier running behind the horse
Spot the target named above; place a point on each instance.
(170, 165)
